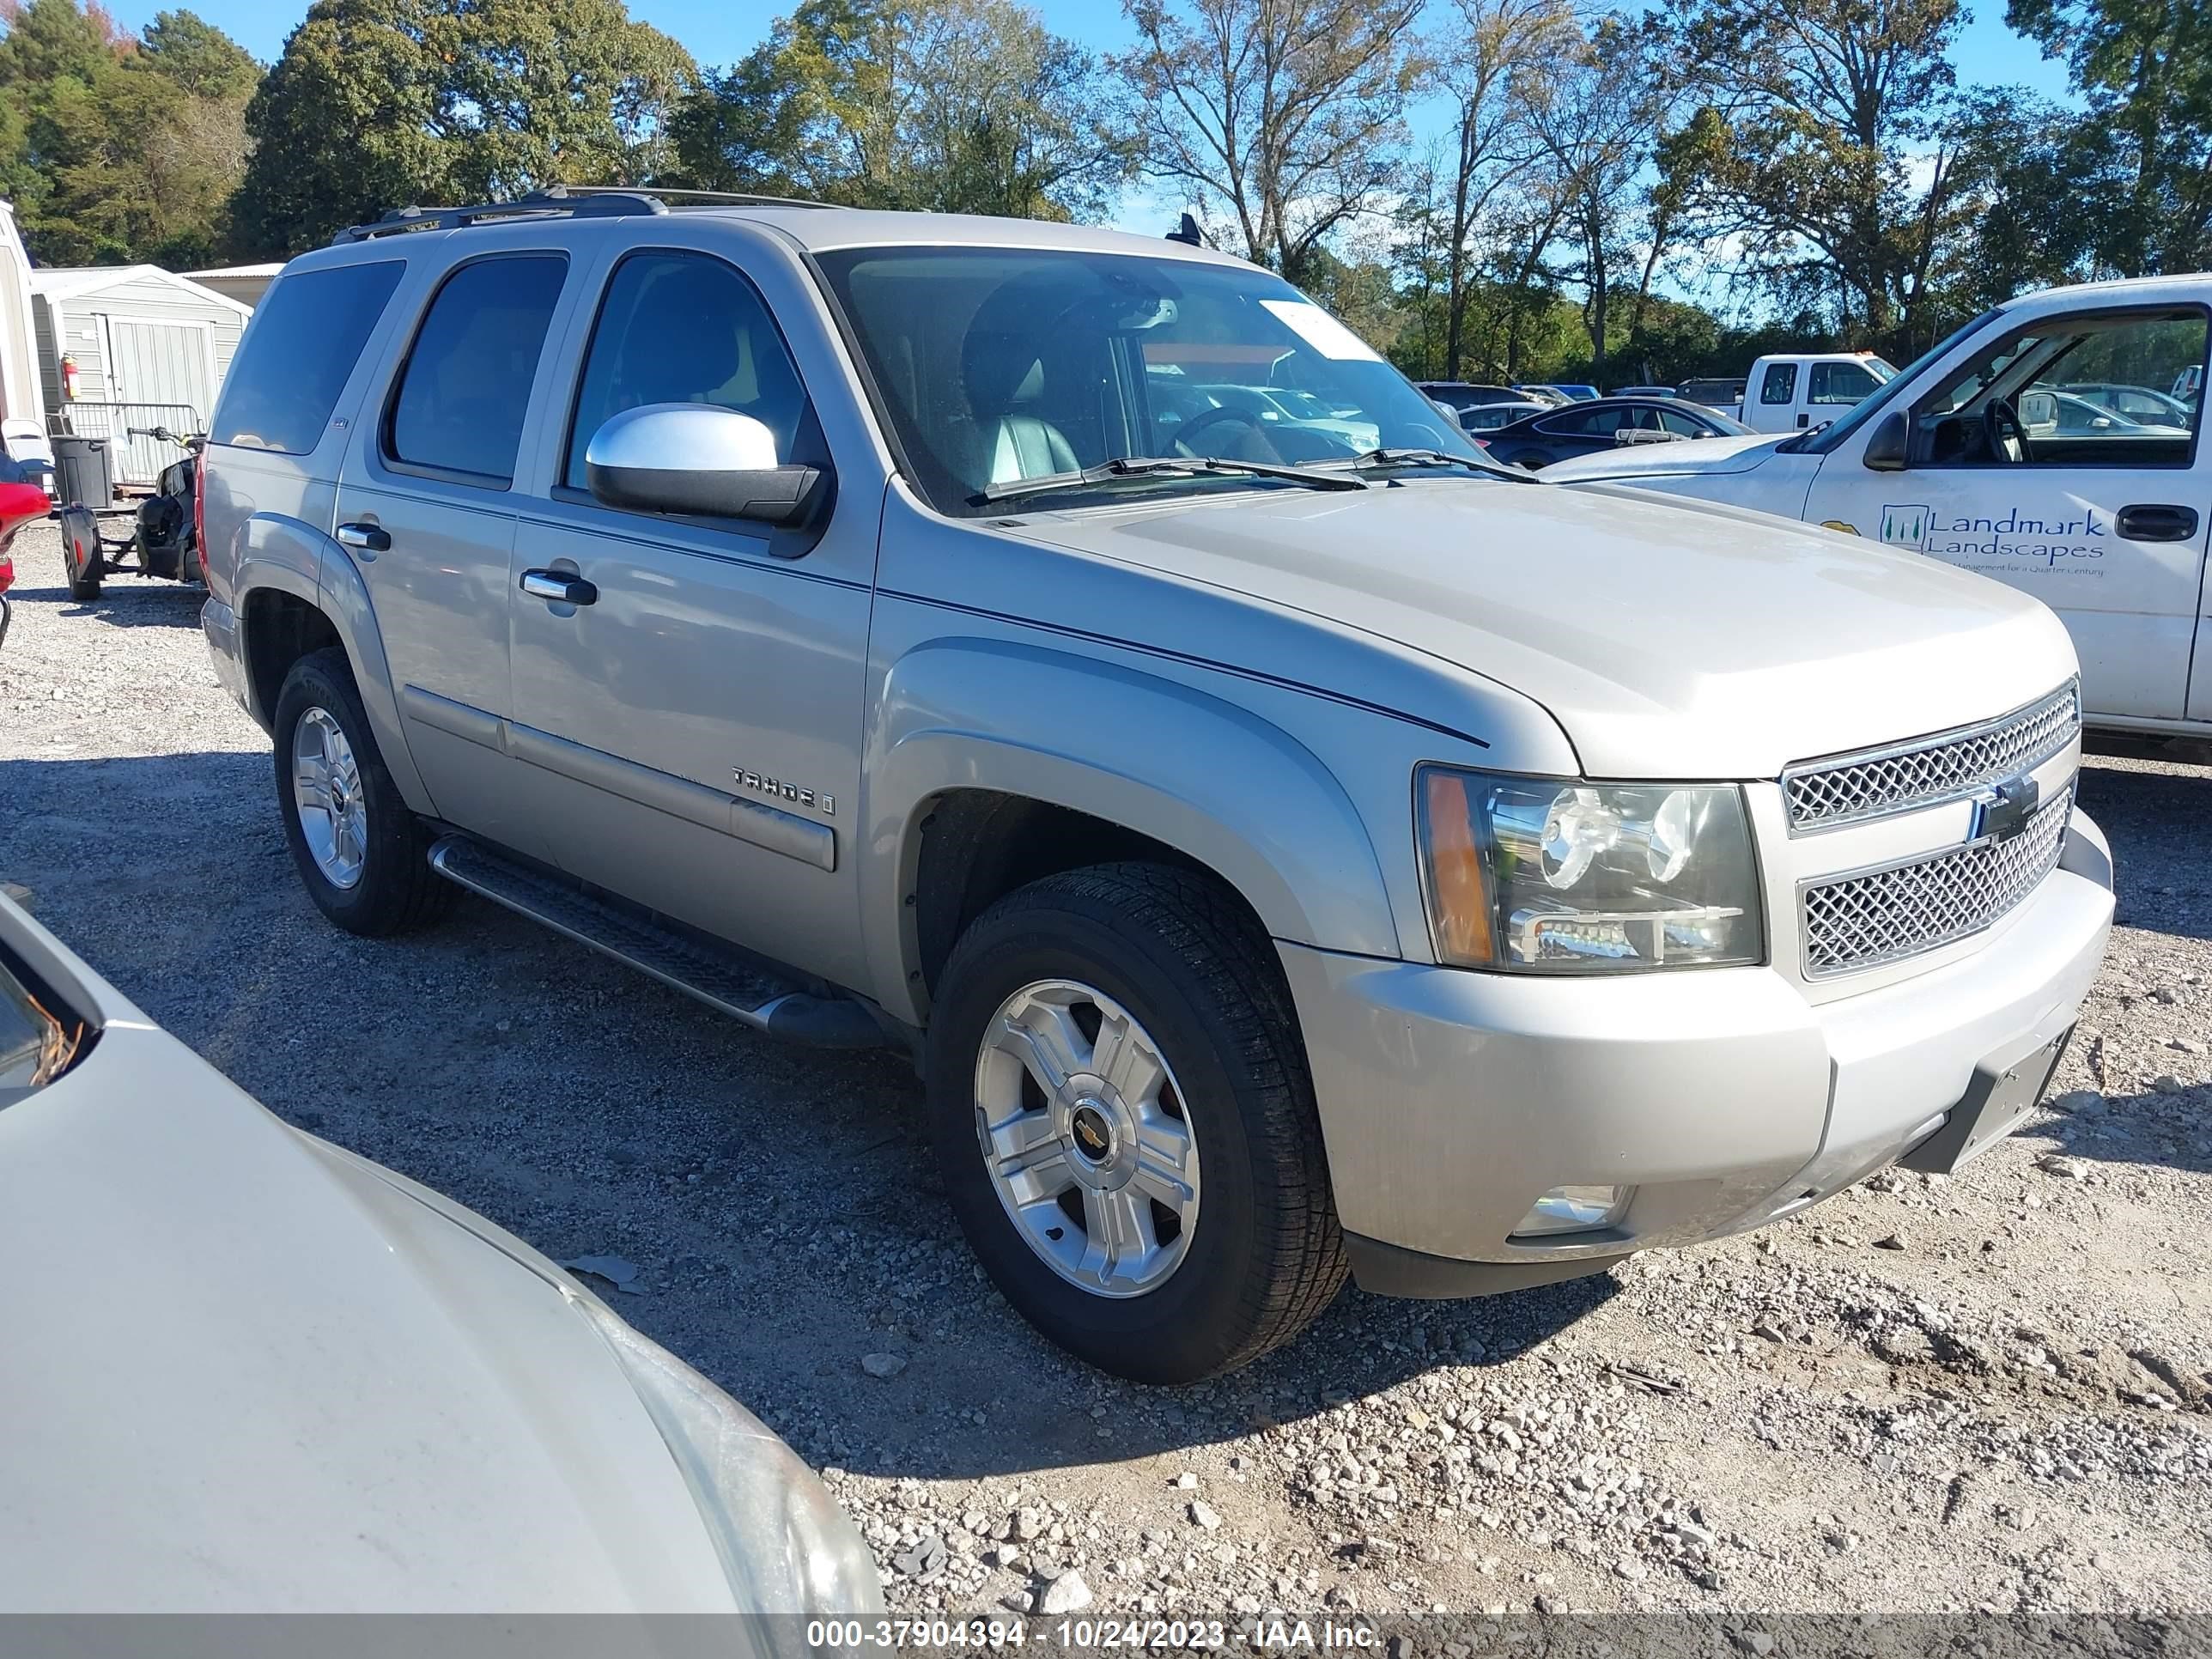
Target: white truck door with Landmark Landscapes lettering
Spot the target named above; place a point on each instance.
(2098, 517)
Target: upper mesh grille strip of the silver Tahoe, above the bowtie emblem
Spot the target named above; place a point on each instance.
(1948, 766)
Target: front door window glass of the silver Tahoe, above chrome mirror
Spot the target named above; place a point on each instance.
(689, 328)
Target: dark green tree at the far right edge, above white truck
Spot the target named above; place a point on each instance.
(2145, 67)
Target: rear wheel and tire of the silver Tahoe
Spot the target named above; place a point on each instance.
(359, 848)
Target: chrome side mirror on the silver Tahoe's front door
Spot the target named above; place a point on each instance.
(702, 461)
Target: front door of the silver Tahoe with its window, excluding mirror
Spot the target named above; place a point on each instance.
(691, 727)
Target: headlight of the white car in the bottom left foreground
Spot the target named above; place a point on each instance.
(784, 1543)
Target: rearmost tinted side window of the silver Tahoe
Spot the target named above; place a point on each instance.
(298, 355)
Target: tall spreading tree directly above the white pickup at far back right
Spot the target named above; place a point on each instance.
(1819, 147)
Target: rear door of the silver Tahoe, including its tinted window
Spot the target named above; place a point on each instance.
(428, 517)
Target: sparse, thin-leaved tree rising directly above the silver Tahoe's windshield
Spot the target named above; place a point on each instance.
(1284, 114)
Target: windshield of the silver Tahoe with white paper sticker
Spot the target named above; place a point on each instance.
(1014, 364)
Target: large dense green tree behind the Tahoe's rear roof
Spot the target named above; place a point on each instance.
(388, 103)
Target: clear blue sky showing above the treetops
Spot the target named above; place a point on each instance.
(724, 30)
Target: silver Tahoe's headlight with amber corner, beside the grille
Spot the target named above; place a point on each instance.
(1563, 877)
